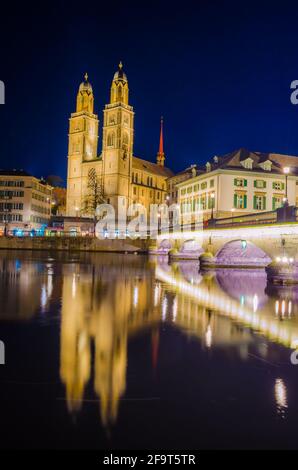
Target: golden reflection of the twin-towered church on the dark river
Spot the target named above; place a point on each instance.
(102, 304)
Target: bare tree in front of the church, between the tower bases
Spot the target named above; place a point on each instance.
(94, 196)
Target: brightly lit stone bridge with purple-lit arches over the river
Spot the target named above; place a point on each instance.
(256, 246)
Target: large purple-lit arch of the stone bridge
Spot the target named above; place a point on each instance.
(241, 253)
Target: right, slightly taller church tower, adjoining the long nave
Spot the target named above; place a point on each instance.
(117, 143)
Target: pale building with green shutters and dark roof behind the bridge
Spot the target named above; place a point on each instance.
(241, 182)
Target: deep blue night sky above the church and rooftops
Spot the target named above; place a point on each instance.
(218, 71)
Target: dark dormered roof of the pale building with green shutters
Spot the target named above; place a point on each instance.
(233, 160)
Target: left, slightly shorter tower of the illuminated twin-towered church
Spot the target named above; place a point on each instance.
(82, 145)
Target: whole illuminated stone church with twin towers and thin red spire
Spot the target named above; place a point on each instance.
(123, 178)
